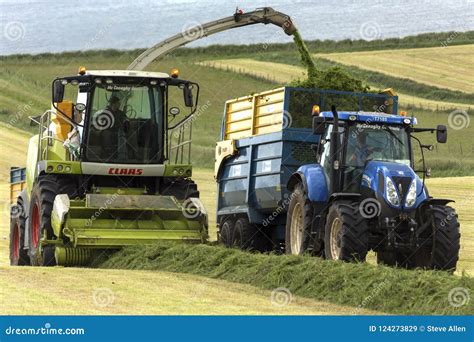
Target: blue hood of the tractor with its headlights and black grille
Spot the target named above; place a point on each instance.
(395, 185)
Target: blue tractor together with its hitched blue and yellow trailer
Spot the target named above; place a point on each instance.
(297, 175)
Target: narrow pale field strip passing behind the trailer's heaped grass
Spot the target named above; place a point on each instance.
(285, 73)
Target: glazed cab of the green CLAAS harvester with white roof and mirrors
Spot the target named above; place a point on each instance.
(116, 117)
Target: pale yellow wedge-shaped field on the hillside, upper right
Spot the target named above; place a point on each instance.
(445, 67)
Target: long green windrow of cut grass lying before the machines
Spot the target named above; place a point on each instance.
(389, 290)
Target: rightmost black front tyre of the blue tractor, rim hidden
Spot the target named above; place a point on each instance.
(444, 234)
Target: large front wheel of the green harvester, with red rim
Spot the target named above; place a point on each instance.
(43, 194)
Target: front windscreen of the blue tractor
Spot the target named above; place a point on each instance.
(377, 142)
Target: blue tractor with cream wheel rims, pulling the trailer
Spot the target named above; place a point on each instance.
(363, 194)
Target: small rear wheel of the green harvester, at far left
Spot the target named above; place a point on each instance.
(18, 255)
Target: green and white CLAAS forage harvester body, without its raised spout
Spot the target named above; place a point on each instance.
(109, 167)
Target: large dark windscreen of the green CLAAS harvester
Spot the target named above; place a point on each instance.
(125, 124)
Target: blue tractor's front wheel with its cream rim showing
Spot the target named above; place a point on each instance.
(346, 233)
